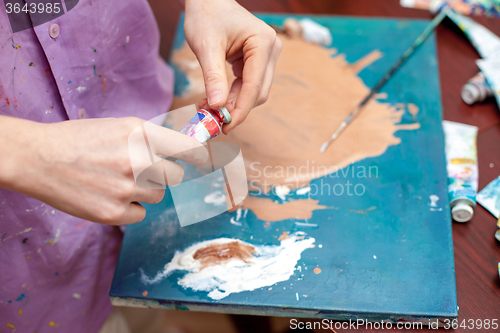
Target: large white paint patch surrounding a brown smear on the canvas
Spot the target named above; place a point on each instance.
(271, 264)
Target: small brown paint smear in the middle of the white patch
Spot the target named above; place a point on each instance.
(217, 254)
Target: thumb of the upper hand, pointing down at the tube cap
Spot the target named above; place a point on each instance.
(213, 65)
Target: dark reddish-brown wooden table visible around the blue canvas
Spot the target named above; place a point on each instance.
(476, 251)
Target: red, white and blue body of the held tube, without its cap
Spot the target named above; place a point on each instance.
(202, 127)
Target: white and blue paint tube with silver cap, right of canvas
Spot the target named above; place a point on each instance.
(461, 165)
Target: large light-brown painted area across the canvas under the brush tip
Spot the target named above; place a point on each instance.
(312, 93)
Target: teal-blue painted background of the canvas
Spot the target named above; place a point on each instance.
(413, 273)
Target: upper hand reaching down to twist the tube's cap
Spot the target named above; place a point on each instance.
(220, 30)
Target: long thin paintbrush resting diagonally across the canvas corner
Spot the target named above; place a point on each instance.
(420, 39)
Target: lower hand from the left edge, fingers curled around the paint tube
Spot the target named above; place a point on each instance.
(84, 168)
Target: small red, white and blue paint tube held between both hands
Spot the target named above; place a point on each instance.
(206, 124)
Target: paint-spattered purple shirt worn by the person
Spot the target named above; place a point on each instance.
(99, 59)
